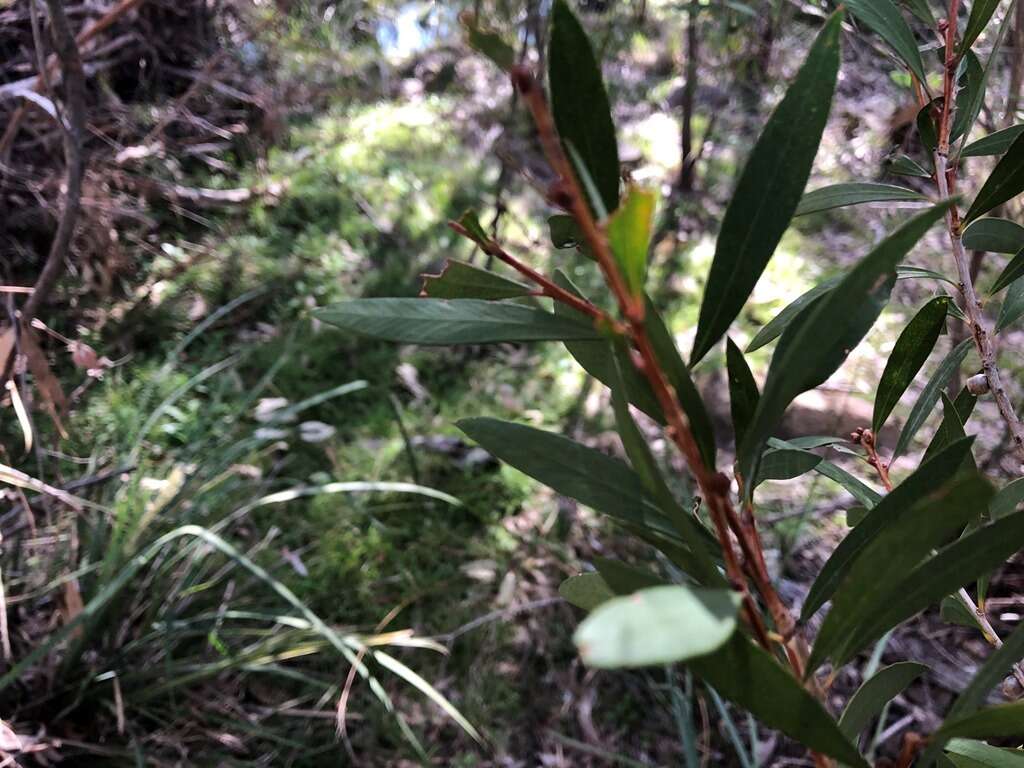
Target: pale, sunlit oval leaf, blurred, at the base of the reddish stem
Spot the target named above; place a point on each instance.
(658, 626)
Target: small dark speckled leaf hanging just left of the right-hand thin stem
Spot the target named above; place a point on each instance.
(913, 349)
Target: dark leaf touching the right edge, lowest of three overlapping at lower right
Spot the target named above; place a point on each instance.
(963, 562)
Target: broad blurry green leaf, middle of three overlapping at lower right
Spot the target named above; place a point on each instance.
(868, 603)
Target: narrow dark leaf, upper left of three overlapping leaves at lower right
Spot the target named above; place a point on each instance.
(883, 515)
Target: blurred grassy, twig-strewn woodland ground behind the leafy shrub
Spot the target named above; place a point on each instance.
(259, 503)
